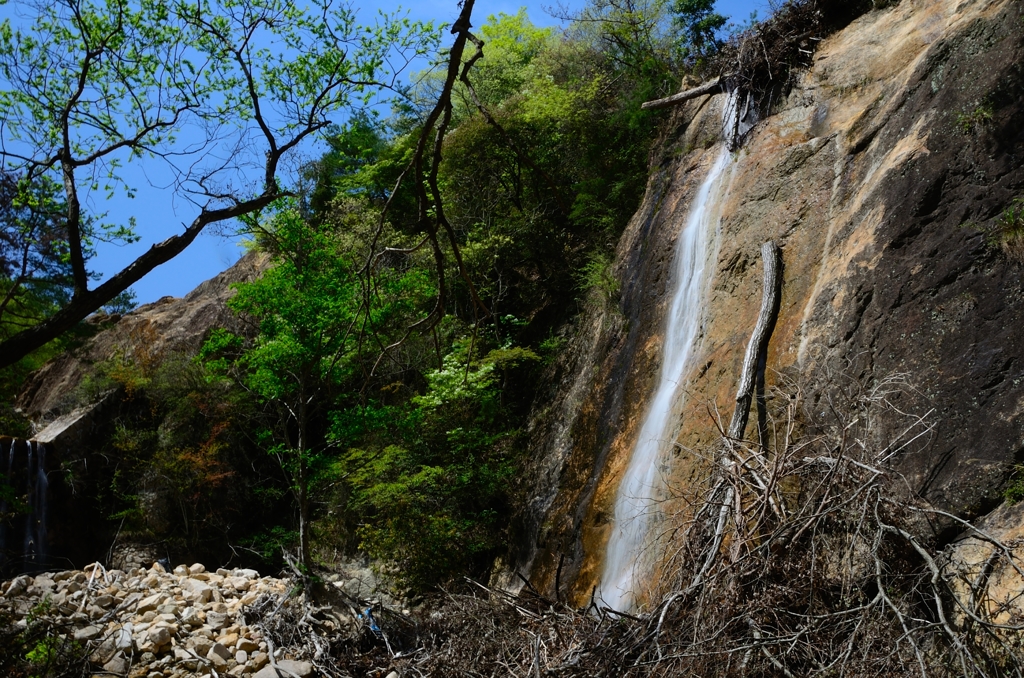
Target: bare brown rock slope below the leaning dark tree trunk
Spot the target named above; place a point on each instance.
(152, 330)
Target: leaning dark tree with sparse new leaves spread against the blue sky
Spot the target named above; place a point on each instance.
(204, 93)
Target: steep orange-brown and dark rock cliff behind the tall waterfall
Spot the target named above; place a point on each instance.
(908, 131)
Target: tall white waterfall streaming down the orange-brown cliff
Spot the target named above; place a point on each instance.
(636, 497)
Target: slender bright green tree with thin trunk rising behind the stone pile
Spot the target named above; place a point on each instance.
(302, 311)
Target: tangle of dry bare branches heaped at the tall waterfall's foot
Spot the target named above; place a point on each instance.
(825, 564)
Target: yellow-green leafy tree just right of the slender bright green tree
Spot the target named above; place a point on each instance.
(435, 500)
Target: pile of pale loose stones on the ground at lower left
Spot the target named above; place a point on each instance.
(155, 624)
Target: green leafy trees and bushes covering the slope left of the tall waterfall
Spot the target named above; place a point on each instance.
(390, 356)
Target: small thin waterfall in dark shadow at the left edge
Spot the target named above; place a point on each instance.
(29, 518)
